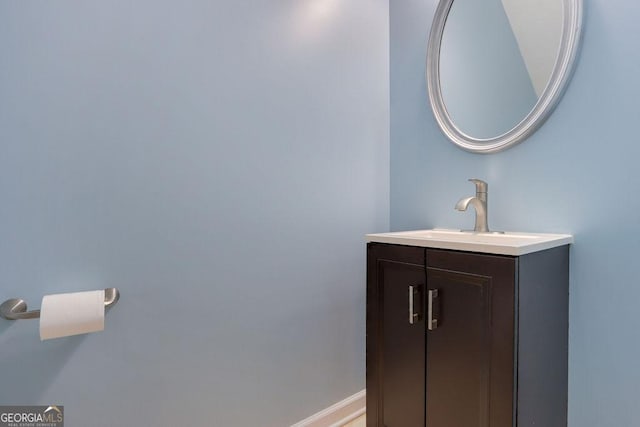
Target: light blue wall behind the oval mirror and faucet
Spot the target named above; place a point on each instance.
(577, 174)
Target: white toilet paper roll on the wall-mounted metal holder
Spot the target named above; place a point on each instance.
(75, 313)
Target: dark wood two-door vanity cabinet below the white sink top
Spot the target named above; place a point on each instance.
(466, 339)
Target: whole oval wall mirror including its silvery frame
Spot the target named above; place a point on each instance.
(497, 68)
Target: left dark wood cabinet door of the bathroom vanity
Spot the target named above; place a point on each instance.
(395, 336)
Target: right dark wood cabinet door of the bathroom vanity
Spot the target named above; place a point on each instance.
(470, 350)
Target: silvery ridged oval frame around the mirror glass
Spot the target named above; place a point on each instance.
(569, 46)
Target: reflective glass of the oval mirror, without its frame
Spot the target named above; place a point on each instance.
(496, 59)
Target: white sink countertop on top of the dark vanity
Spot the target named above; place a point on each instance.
(494, 243)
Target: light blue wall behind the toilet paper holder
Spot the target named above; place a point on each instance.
(219, 162)
